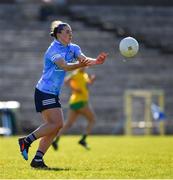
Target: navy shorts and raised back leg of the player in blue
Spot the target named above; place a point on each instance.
(53, 122)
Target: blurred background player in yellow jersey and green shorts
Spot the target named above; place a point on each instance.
(78, 104)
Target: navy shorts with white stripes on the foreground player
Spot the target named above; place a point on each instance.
(45, 101)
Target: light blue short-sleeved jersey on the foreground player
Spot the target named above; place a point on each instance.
(53, 76)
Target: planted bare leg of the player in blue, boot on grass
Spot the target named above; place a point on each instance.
(51, 116)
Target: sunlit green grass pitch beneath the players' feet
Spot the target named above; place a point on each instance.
(116, 157)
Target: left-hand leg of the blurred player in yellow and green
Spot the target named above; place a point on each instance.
(71, 118)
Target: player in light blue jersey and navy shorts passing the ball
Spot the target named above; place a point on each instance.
(58, 59)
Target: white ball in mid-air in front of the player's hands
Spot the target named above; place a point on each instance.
(129, 47)
